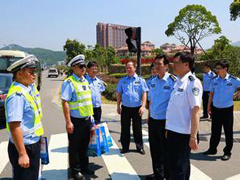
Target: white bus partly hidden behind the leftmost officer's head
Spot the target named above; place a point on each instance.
(8, 57)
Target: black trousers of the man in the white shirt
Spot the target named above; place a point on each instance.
(178, 156)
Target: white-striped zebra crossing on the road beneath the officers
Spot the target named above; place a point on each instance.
(117, 164)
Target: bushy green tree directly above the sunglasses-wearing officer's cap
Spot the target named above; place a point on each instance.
(73, 48)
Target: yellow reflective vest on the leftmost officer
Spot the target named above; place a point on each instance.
(37, 128)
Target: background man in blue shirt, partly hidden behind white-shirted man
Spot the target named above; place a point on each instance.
(207, 77)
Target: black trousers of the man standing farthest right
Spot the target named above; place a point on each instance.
(222, 117)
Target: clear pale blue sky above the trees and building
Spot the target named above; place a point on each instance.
(49, 23)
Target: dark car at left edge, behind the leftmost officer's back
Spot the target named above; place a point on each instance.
(5, 83)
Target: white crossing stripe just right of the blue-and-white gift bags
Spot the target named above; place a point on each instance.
(118, 166)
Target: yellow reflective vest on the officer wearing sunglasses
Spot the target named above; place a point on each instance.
(84, 99)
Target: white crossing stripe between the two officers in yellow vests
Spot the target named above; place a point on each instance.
(58, 156)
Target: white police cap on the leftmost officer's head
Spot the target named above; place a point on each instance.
(29, 61)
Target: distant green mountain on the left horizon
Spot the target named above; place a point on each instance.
(45, 55)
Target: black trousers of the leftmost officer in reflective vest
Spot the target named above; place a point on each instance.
(31, 173)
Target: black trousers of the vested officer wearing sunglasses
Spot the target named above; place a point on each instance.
(78, 144)
